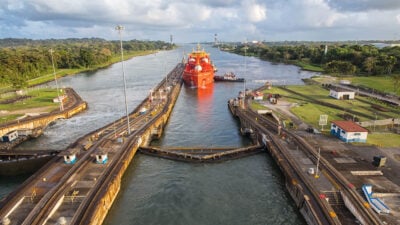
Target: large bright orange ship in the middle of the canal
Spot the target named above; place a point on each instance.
(199, 70)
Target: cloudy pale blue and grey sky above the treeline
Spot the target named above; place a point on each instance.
(202, 20)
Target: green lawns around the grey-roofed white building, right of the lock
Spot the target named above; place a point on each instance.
(307, 107)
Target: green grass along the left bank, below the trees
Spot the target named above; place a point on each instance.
(43, 98)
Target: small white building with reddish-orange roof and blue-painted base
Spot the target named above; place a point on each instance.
(348, 131)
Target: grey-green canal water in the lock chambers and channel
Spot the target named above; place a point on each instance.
(159, 191)
